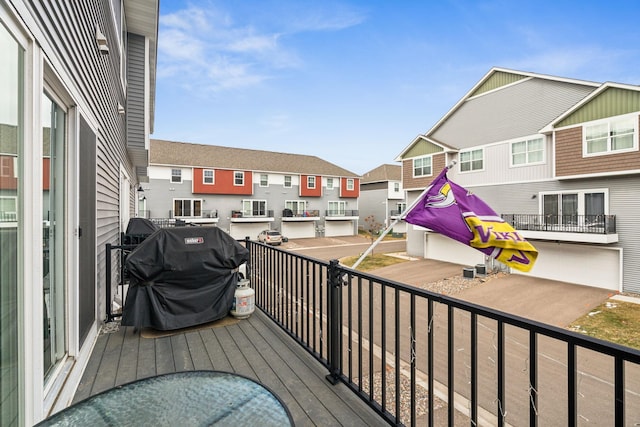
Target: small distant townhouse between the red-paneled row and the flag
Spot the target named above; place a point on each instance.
(382, 197)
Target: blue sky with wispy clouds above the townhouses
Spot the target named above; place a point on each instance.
(354, 82)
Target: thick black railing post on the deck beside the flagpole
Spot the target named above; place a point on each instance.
(333, 329)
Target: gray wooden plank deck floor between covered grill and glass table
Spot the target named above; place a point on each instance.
(253, 347)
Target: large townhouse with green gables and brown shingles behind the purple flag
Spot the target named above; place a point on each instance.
(556, 157)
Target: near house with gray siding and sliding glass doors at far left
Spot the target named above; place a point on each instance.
(76, 105)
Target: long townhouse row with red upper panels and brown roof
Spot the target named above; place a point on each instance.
(246, 191)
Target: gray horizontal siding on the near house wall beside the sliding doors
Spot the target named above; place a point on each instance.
(71, 28)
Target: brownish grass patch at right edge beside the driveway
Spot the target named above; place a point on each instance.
(614, 321)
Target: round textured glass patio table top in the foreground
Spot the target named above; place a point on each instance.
(194, 398)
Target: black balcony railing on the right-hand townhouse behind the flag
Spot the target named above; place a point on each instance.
(593, 224)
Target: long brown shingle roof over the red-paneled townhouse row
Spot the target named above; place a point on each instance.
(214, 156)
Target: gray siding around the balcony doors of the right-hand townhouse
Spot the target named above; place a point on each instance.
(624, 202)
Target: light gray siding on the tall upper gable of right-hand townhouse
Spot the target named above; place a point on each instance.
(519, 109)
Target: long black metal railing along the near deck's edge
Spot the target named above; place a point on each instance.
(407, 351)
